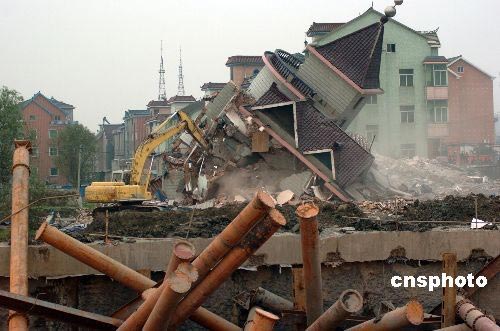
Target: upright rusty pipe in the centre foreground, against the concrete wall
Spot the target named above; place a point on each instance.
(309, 239)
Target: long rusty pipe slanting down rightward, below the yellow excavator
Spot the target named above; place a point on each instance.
(93, 258)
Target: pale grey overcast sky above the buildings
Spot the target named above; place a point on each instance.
(102, 56)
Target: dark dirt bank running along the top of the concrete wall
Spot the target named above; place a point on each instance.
(209, 222)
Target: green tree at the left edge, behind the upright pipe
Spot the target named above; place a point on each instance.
(11, 128)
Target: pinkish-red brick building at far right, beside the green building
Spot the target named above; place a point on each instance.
(471, 113)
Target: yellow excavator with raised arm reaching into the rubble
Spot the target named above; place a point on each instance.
(131, 195)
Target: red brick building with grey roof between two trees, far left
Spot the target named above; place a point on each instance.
(46, 117)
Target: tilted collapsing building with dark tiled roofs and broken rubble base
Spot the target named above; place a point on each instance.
(291, 119)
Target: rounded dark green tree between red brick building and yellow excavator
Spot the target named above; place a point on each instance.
(72, 138)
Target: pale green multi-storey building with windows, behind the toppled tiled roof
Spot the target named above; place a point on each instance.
(396, 122)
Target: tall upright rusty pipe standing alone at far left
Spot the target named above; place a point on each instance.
(19, 230)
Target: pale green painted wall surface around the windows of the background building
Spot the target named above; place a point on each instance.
(411, 50)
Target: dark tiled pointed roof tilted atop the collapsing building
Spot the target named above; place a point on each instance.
(357, 55)
